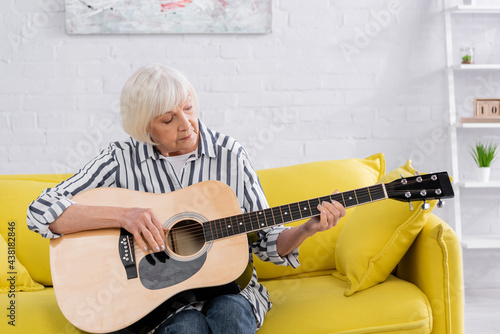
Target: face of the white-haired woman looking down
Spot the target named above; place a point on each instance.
(176, 132)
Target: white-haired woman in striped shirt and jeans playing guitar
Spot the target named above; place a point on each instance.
(170, 148)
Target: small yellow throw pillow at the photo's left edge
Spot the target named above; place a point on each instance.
(13, 275)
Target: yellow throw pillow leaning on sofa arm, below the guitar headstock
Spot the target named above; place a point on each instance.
(376, 236)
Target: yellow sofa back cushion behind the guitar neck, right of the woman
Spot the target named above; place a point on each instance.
(311, 180)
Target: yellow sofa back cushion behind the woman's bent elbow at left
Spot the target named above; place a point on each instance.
(17, 192)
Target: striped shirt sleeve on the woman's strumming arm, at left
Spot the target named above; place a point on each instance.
(54, 201)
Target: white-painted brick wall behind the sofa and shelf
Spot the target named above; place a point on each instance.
(335, 79)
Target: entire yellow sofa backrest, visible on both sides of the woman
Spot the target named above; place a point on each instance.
(282, 185)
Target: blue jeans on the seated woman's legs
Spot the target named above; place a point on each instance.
(227, 314)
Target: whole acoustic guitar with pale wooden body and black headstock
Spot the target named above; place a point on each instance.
(104, 283)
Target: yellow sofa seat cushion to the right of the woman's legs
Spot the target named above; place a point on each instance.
(396, 306)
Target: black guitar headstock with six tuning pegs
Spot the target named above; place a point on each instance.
(421, 187)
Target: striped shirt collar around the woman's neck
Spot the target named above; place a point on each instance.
(206, 146)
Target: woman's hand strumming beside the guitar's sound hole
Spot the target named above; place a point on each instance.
(145, 227)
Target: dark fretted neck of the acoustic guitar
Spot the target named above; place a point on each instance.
(262, 219)
